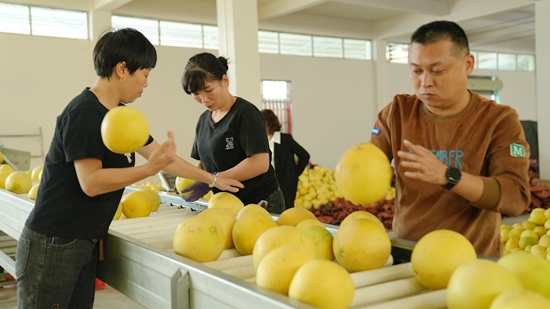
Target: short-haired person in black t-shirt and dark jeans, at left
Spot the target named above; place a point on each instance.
(82, 181)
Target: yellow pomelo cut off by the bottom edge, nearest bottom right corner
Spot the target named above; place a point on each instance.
(520, 298)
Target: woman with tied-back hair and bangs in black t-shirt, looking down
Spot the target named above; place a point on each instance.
(230, 137)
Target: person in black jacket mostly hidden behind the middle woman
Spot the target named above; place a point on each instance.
(288, 158)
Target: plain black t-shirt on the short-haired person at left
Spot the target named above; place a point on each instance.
(62, 209)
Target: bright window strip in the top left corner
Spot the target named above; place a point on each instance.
(35, 20)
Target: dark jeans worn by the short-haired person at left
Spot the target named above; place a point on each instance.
(55, 272)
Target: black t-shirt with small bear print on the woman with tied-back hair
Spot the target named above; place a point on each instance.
(238, 135)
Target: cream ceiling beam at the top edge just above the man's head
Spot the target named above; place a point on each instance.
(429, 7)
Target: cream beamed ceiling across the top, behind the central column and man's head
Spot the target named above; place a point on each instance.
(491, 25)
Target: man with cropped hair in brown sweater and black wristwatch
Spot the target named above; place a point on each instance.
(461, 160)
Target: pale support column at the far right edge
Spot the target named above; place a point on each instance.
(542, 24)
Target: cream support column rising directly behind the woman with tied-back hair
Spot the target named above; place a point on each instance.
(238, 36)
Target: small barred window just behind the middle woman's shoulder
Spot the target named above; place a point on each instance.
(276, 97)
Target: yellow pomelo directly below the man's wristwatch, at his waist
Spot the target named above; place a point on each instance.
(436, 256)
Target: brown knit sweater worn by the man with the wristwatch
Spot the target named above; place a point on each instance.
(484, 139)
